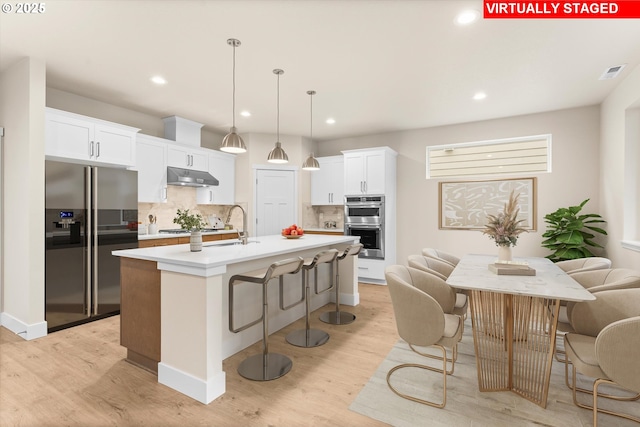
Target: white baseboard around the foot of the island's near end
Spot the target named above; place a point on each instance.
(196, 388)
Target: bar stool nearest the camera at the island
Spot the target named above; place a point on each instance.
(266, 366)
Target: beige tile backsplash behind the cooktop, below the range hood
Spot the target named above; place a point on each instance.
(184, 198)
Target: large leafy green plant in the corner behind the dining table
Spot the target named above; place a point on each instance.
(568, 234)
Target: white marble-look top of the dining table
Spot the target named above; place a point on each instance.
(550, 281)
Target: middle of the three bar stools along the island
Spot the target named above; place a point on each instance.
(308, 337)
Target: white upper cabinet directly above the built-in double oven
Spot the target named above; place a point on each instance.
(369, 171)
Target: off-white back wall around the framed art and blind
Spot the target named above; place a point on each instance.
(575, 176)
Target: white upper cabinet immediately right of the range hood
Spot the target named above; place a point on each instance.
(223, 167)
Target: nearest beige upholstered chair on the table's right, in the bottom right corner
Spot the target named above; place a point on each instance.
(606, 345)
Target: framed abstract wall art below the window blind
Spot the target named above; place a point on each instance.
(464, 205)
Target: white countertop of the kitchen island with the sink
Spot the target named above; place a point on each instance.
(224, 252)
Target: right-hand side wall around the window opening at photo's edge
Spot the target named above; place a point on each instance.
(614, 150)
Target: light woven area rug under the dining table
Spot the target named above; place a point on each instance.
(466, 405)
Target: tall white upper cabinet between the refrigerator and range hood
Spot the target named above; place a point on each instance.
(152, 169)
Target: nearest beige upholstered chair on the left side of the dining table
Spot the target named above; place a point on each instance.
(422, 310)
